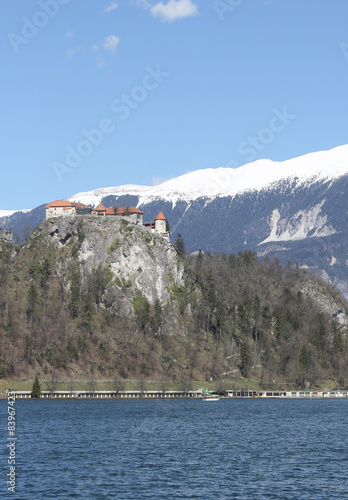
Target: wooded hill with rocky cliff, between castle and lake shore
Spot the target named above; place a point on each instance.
(85, 296)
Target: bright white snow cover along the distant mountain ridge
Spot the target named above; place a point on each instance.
(217, 182)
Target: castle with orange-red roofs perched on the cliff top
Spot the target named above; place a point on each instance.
(65, 208)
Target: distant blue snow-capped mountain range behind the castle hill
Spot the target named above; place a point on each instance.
(295, 210)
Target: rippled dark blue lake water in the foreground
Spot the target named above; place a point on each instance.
(243, 449)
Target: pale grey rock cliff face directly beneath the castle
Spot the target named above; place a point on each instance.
(139, 260)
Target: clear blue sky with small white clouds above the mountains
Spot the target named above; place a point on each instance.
(99, 93)
